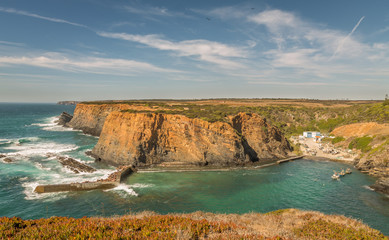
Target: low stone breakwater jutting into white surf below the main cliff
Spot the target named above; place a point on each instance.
(111, 181)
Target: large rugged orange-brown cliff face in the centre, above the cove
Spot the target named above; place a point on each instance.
(152, 138)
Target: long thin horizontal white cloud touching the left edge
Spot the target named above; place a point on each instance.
(94, 65)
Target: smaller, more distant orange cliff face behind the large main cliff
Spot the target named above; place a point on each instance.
(90, 118)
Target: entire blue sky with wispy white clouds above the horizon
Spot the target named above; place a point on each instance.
(81, 50)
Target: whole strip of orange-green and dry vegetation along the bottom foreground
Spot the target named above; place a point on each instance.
(281, 224)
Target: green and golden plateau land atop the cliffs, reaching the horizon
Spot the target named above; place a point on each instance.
(292, 116)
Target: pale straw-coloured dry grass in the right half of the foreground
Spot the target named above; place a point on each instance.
(289, 223)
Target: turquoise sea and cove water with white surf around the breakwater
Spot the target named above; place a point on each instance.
(27, 134)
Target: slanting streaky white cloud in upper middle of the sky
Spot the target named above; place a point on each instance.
(205, 50)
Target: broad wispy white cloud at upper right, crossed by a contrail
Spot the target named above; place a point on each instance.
(307, 50)
